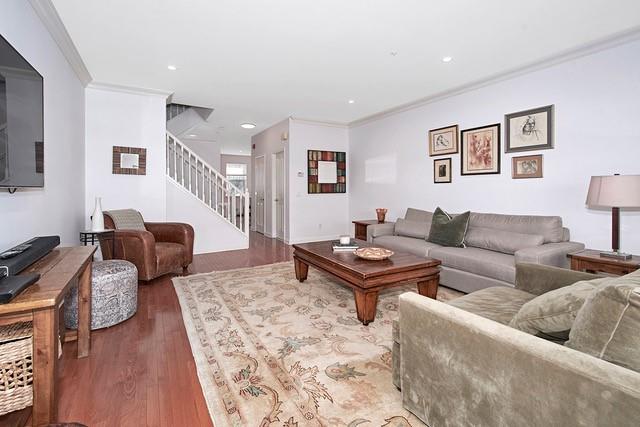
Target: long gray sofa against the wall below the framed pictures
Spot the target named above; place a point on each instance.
(495, 243)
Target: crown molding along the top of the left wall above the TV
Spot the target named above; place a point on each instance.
(51, 20)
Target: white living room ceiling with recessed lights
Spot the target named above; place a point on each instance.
(262, 61)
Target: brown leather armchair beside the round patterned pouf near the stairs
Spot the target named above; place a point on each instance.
(160, 249)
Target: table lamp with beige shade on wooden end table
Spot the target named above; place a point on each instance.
(615, 192)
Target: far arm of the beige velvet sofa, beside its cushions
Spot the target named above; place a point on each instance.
(538, 279)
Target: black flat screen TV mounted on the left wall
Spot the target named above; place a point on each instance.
(21, 121)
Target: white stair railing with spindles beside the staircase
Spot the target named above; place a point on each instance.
(187, 170)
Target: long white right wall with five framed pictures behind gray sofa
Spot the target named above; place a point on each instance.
(596, 129)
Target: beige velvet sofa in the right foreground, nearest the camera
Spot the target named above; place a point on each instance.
(458, 364)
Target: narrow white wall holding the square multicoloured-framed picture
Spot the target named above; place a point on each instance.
(315, 216)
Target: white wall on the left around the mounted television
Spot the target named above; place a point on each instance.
(56, 209)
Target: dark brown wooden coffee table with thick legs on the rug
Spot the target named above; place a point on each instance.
(367, 278)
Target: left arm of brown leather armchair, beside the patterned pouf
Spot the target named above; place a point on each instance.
(138, 247)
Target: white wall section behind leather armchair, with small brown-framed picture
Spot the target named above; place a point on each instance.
(132, 120)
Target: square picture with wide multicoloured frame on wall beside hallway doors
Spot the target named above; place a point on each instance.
(327, 172)
